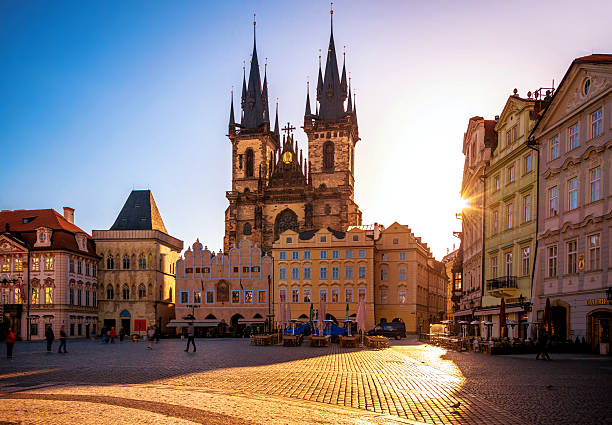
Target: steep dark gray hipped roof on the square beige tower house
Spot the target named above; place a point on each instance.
(139, 213)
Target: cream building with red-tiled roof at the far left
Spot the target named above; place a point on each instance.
(47, 274)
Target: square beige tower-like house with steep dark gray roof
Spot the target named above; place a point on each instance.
(137, 268)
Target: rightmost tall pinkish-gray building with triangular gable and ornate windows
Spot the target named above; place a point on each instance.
(574, 260)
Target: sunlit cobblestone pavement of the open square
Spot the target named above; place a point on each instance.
(228, 381)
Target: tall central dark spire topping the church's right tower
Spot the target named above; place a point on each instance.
(332, 102)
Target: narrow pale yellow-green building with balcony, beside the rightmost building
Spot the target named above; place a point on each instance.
(510, 226)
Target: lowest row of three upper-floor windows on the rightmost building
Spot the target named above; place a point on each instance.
(593, 262)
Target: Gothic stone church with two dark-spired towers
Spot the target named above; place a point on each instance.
(275, 187)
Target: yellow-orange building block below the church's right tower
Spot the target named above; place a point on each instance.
(390, 268)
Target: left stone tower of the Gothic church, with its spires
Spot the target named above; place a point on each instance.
(254, 149)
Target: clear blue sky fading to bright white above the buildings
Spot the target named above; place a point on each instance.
(99, 98)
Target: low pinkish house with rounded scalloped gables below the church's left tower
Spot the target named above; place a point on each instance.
(223, 292)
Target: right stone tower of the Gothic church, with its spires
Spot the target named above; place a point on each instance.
(332, 135)
